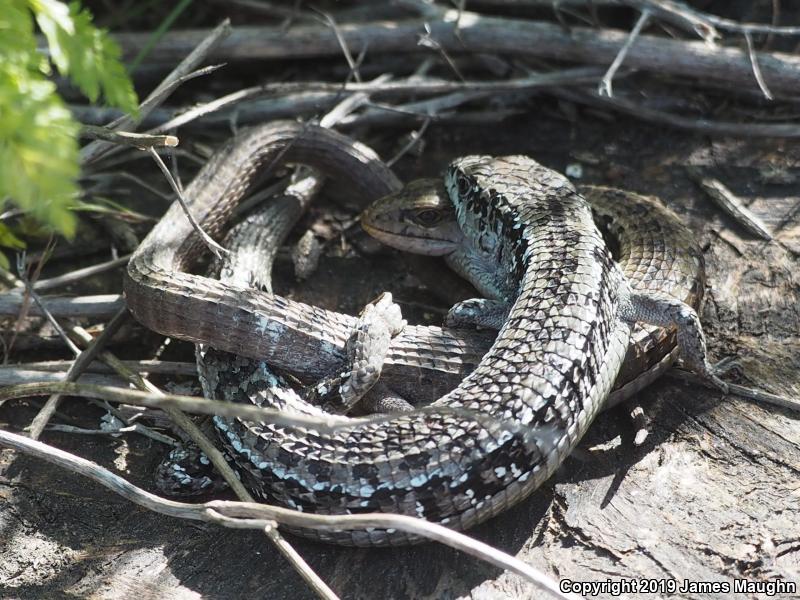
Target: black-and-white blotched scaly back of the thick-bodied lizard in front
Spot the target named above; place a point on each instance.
(540, 385)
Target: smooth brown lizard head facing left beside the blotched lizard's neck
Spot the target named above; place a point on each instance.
(419, 218)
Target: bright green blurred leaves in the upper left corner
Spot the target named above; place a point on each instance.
(39, 160)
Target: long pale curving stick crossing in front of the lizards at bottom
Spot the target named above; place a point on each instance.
(258, 516)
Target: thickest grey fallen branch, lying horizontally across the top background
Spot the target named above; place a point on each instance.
(479, 33)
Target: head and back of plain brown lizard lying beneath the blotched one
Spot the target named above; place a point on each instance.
(653, 248)
